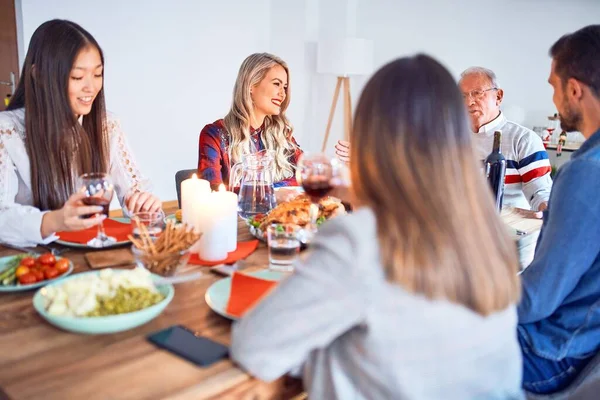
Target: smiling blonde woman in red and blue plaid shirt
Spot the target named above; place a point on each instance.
(255, 122)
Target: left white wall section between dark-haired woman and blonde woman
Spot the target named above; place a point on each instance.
(170, 67)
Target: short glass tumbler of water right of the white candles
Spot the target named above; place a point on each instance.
(284, 246)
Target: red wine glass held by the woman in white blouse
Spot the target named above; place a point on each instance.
(99, 189)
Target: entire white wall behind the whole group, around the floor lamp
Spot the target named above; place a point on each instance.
(171, 65)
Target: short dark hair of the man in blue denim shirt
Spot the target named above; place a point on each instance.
(577, 55)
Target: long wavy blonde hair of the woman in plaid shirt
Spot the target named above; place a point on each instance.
(277, 129)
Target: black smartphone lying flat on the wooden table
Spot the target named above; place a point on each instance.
(187, 344)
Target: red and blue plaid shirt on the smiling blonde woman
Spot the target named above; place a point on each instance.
(213, 158)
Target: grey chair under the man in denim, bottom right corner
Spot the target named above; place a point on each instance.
(585, 384)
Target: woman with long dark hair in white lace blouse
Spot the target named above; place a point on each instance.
(55, 129)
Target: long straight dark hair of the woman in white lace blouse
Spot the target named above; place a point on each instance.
(59, 148)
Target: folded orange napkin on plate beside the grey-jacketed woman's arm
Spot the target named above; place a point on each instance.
(246, 291)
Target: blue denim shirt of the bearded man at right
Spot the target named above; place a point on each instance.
(559, 314)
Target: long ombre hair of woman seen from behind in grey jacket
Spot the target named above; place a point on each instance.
(413, 164)
